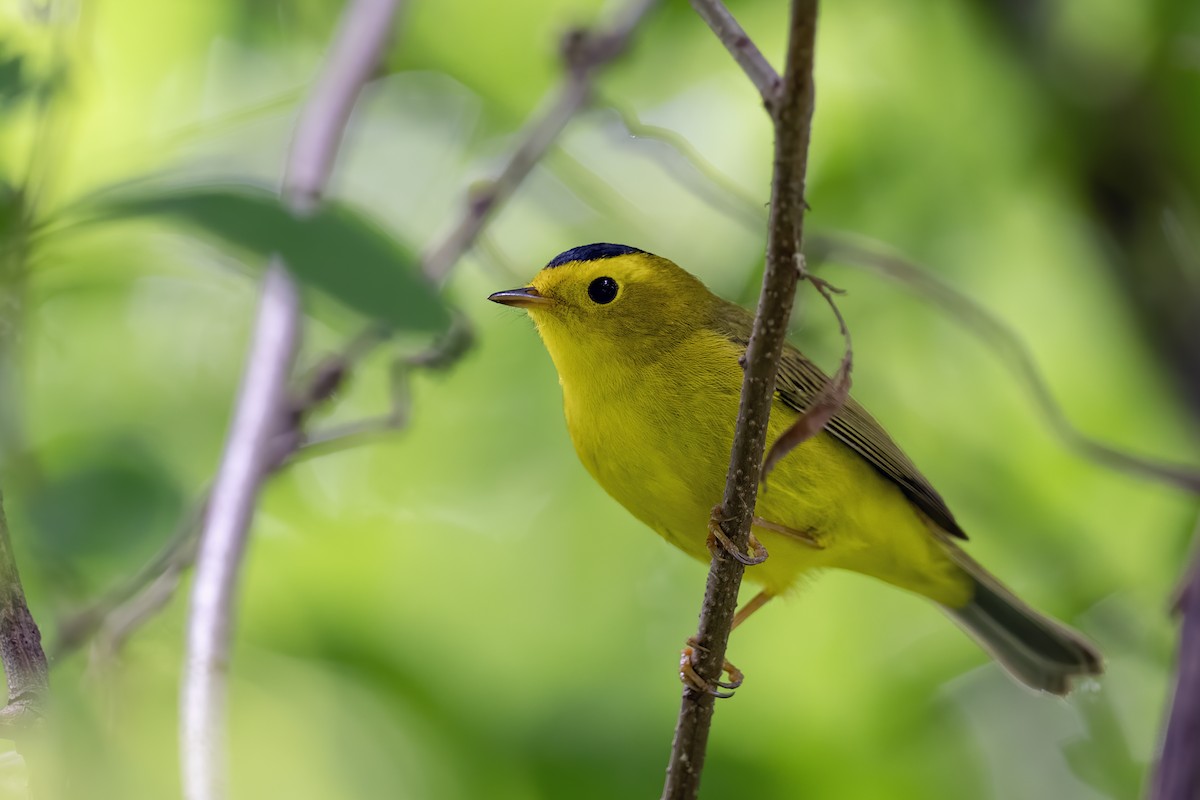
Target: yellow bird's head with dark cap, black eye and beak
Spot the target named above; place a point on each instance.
(602, 300)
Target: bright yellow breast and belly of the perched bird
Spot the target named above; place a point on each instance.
(657, 436)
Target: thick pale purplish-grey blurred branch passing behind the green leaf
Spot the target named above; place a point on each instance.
(263, 407)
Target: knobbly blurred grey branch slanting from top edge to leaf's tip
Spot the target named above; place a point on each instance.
(584, 53)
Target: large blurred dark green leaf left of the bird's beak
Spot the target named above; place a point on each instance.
(337, 250)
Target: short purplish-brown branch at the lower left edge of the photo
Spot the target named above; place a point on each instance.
(21, 648)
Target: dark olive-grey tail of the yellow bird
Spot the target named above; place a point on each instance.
(1040, 652)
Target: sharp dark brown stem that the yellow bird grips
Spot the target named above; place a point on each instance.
(793, 119)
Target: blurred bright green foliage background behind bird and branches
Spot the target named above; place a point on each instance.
(458, 611)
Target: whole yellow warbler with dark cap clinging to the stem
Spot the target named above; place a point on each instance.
(649, 360)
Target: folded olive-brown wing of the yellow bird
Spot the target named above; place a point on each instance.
(800, 381)
